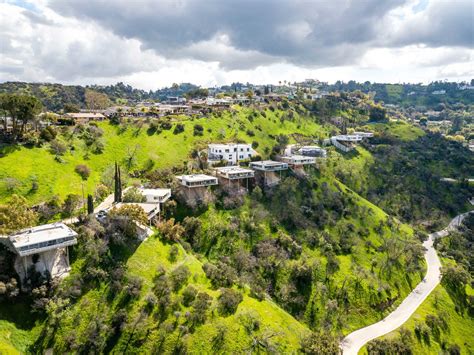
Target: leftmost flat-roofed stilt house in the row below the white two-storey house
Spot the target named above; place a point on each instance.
(195, 188)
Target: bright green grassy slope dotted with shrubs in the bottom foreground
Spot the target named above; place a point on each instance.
(144, 332)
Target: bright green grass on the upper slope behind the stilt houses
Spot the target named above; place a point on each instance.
(27, 165)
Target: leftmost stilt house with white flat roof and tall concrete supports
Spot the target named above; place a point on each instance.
(44, 247)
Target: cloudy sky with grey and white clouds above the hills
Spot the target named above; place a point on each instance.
(150, 44)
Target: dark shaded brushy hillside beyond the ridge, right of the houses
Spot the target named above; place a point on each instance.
(401, 171)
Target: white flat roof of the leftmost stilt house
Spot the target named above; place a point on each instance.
(44, 233)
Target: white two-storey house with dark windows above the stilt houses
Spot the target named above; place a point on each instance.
(232, 153)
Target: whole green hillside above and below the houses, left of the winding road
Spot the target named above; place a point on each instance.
(314, 255)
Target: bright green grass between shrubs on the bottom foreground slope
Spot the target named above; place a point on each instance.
(285, 331)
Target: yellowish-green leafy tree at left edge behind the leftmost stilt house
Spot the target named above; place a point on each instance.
(16, 215)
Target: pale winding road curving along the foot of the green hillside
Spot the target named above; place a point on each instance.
(352, 343)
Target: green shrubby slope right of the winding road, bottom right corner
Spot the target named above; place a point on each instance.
(443, 322)
